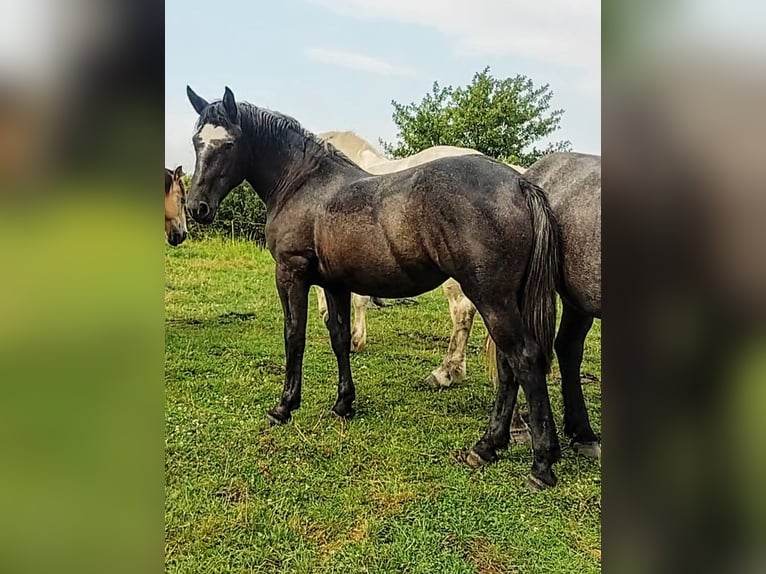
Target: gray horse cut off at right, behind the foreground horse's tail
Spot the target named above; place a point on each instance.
(572, 182)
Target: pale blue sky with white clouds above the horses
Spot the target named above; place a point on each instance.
(338, 64)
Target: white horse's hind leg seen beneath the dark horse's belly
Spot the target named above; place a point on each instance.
(462, 312)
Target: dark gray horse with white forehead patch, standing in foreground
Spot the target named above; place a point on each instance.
(332, 224)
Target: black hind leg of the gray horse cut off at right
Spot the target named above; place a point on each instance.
(569, 345)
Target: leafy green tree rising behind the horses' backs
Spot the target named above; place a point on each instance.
(503, 119)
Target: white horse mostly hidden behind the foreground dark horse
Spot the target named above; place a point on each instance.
(461, 309)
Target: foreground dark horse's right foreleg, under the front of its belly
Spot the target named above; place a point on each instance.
(338, 323)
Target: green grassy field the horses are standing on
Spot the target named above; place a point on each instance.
(378, 494)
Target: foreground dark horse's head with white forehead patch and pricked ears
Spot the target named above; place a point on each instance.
(220, 153)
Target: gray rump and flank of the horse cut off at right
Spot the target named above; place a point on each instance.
(572, 182)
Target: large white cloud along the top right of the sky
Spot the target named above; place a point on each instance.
(563, 32)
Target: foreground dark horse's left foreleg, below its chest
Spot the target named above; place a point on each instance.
(293, 293)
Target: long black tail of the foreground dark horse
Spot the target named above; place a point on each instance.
(538, 299)
